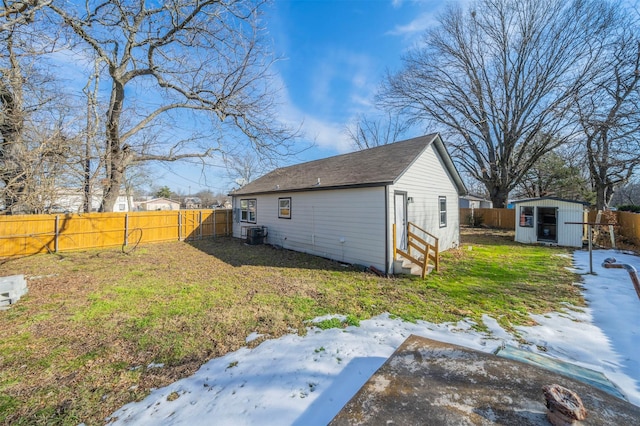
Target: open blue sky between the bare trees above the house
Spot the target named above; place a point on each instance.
(334, 54)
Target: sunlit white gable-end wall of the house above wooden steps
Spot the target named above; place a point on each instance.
(425, 181)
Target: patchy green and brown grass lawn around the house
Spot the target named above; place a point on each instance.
(99, 329)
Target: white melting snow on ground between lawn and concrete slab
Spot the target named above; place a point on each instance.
(306, 380)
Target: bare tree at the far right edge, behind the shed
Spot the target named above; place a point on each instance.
(608, 109)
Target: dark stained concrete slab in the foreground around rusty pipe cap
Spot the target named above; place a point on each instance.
(426, 382)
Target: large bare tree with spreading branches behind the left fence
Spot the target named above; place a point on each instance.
(190, 73)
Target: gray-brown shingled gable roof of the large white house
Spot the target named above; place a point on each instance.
(376, 166)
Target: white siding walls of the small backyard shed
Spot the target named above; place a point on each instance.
(568, 235)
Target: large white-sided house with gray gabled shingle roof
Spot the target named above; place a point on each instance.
(352, 207)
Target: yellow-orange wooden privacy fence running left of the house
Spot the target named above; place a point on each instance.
(31, 234)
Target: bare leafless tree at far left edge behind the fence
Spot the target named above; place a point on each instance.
(35, 150)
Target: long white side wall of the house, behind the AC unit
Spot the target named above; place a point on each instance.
(347, 225)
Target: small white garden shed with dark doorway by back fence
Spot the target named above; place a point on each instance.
(545, 220)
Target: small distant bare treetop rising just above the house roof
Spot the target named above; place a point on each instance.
(366, 132)
